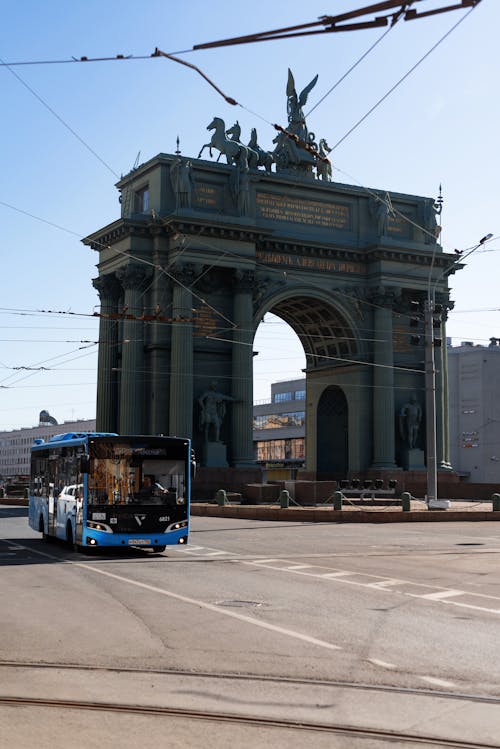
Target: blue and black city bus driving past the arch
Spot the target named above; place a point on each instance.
(97, 489)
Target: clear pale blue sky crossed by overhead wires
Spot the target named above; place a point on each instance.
(439, 126)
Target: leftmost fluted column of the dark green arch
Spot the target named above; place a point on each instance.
(108, 289)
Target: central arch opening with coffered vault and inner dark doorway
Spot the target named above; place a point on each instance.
(322, 341)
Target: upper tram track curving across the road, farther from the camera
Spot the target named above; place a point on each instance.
(252, 677)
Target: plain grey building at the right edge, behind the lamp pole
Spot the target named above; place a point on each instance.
(474, 389)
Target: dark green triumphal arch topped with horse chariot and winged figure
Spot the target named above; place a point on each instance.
(204, 249)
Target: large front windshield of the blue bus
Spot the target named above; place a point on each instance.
(128, 474)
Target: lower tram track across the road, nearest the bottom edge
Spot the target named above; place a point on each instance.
(248, 720)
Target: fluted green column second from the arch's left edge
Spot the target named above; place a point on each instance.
(131, 417)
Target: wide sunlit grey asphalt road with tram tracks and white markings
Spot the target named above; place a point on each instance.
(329, 635)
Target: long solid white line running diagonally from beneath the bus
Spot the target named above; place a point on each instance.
(193, 601)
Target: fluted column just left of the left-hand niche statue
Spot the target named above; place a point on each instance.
(181, 355)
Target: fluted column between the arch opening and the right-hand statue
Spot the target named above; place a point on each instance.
(383, 383)
